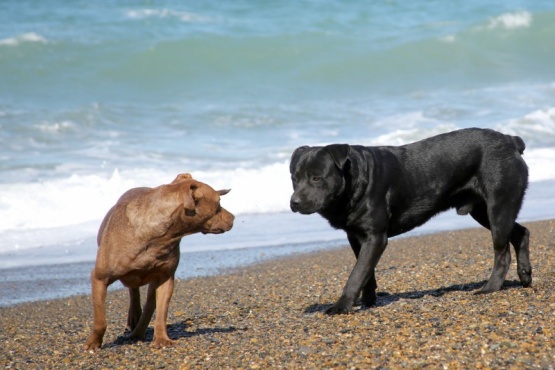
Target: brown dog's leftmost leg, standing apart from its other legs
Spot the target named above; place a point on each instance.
(99, 288)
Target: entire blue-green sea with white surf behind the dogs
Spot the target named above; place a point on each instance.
(100, 97)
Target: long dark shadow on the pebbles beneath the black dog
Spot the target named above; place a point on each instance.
(385, 298)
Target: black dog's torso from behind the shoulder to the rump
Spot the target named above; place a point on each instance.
(454, 170)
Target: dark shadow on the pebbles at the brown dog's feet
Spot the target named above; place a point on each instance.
(175, 332)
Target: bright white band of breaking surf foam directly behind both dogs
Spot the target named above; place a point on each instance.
(79, 199)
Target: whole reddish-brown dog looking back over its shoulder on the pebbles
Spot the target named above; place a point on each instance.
(138, 244)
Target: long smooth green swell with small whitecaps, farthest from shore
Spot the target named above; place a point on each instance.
(307, 60)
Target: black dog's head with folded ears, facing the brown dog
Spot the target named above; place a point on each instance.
(318, 177)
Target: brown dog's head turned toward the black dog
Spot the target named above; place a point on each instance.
(202, 206)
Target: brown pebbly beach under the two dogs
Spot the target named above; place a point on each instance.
(270, 315)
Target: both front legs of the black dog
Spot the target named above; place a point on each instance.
(362, 275)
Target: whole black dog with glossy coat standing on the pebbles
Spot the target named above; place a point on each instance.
(376, 192)
